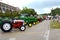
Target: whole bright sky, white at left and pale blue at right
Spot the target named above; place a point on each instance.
(40, 6)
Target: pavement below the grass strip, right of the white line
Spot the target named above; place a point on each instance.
(54, 34)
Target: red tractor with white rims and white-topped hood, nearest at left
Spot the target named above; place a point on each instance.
(6, 26)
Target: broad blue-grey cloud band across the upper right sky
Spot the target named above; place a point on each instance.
(43, 4)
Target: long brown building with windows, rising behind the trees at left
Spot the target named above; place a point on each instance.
(4, 7)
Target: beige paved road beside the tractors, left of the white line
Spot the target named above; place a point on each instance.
(36, 32)
